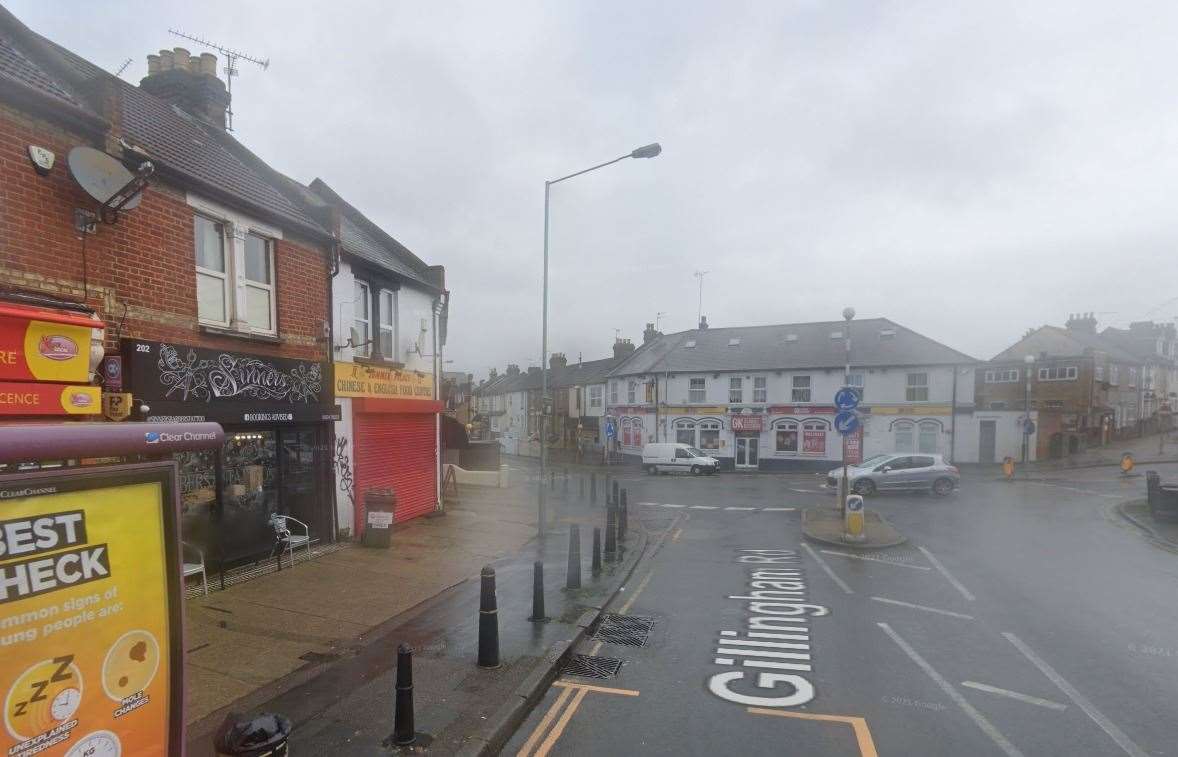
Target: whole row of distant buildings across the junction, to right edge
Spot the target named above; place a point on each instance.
(762, 397)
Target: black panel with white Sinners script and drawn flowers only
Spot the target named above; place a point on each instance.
(181, 374)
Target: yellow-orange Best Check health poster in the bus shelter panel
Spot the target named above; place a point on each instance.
(91, 658)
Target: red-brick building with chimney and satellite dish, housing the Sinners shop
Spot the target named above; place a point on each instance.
(214, 293)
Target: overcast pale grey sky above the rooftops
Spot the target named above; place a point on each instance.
(968, 170)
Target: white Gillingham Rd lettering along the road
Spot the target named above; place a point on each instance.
(776, 640)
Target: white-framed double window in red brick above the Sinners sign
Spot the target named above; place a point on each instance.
(235, 228)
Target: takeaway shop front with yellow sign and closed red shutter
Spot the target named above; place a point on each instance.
(392, 428)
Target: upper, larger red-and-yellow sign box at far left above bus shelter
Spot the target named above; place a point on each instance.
(39, 346)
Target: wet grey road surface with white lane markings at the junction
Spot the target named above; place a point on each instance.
(1022, 619)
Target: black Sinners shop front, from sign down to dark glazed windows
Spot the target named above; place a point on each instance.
(277, 416)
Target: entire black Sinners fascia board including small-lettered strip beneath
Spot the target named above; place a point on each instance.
(186, 384)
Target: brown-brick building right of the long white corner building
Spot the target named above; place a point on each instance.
(1088, 390)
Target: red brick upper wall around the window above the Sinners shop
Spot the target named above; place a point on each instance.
(142, 267)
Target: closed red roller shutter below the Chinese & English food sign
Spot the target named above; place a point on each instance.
(396, 450)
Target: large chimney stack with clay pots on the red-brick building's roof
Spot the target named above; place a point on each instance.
(188, 83)
